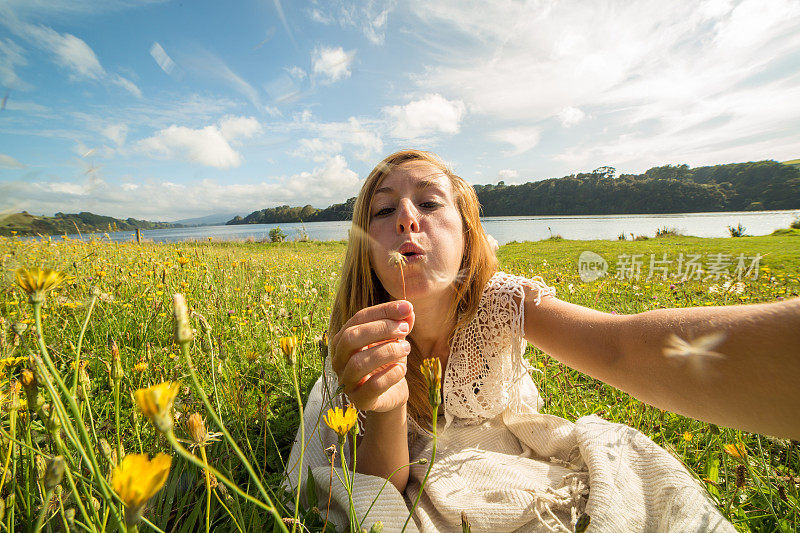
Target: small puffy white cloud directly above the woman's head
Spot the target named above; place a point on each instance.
(430, 115)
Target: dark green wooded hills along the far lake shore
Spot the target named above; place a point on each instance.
(753, 186)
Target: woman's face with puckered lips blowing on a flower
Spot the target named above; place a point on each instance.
(413, 212)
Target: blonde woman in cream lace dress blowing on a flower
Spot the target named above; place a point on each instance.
(499, 460)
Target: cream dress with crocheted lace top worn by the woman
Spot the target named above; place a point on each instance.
(507, 466)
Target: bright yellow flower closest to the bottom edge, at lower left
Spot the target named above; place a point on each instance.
(137, 479)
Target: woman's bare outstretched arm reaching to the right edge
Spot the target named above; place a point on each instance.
(736, 365)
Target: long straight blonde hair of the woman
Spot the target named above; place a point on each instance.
(359, 286)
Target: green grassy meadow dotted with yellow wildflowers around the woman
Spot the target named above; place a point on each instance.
(244, 298)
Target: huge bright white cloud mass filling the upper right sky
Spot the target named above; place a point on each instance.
(677, 73)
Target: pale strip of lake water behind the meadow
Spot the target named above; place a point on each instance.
(507, 229)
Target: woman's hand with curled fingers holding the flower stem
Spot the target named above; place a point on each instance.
(369, 356)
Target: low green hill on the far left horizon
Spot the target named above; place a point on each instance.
(26, 224)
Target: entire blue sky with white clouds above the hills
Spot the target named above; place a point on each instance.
(167, 110)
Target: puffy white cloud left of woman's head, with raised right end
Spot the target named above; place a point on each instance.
(209, 146)
